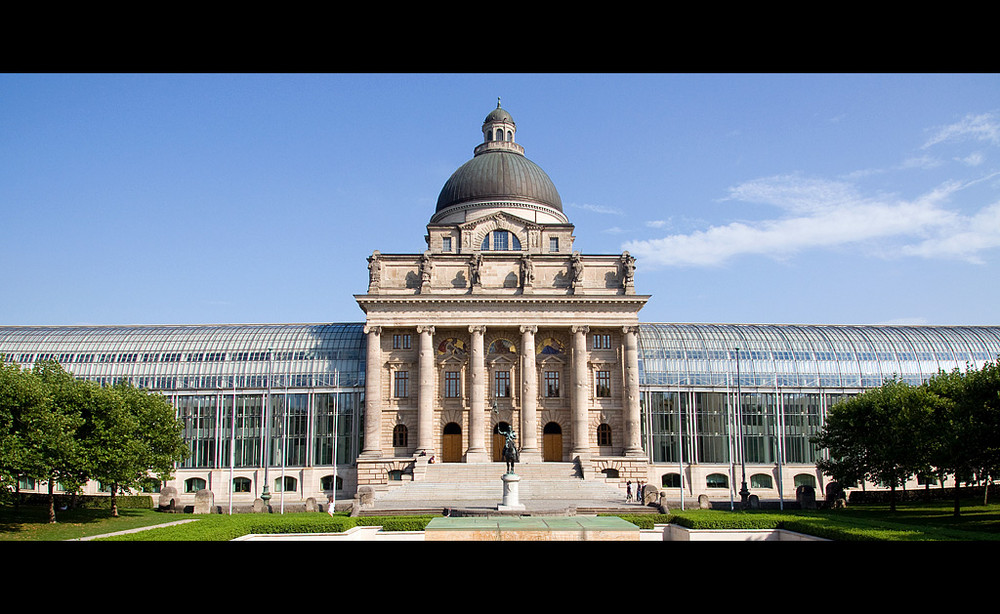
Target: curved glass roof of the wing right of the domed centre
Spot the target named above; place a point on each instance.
(809, 356)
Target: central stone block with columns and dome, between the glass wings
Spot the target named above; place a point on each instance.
(500, 322)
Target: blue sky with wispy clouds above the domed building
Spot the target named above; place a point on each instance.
(255, 198)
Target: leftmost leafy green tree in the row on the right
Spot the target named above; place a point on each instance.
(881, 435)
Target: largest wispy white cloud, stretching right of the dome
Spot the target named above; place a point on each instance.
(824, 214)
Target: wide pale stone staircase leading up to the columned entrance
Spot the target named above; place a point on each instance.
(542, 486)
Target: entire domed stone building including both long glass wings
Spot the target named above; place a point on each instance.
(500, 324)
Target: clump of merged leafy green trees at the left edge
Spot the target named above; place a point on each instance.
(57, 429)
